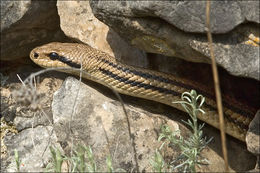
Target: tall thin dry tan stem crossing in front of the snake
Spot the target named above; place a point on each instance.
(217, 88)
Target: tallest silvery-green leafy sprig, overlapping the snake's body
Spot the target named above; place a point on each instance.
(191, 147)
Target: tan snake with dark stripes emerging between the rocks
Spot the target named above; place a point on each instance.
(157, 86)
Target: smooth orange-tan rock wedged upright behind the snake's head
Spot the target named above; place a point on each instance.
(78, 22)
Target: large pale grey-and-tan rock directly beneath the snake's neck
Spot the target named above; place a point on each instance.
(99, 121)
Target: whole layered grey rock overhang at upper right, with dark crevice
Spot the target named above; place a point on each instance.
(175, 28)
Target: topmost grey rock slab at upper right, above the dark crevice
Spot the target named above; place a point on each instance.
(188, 16)
